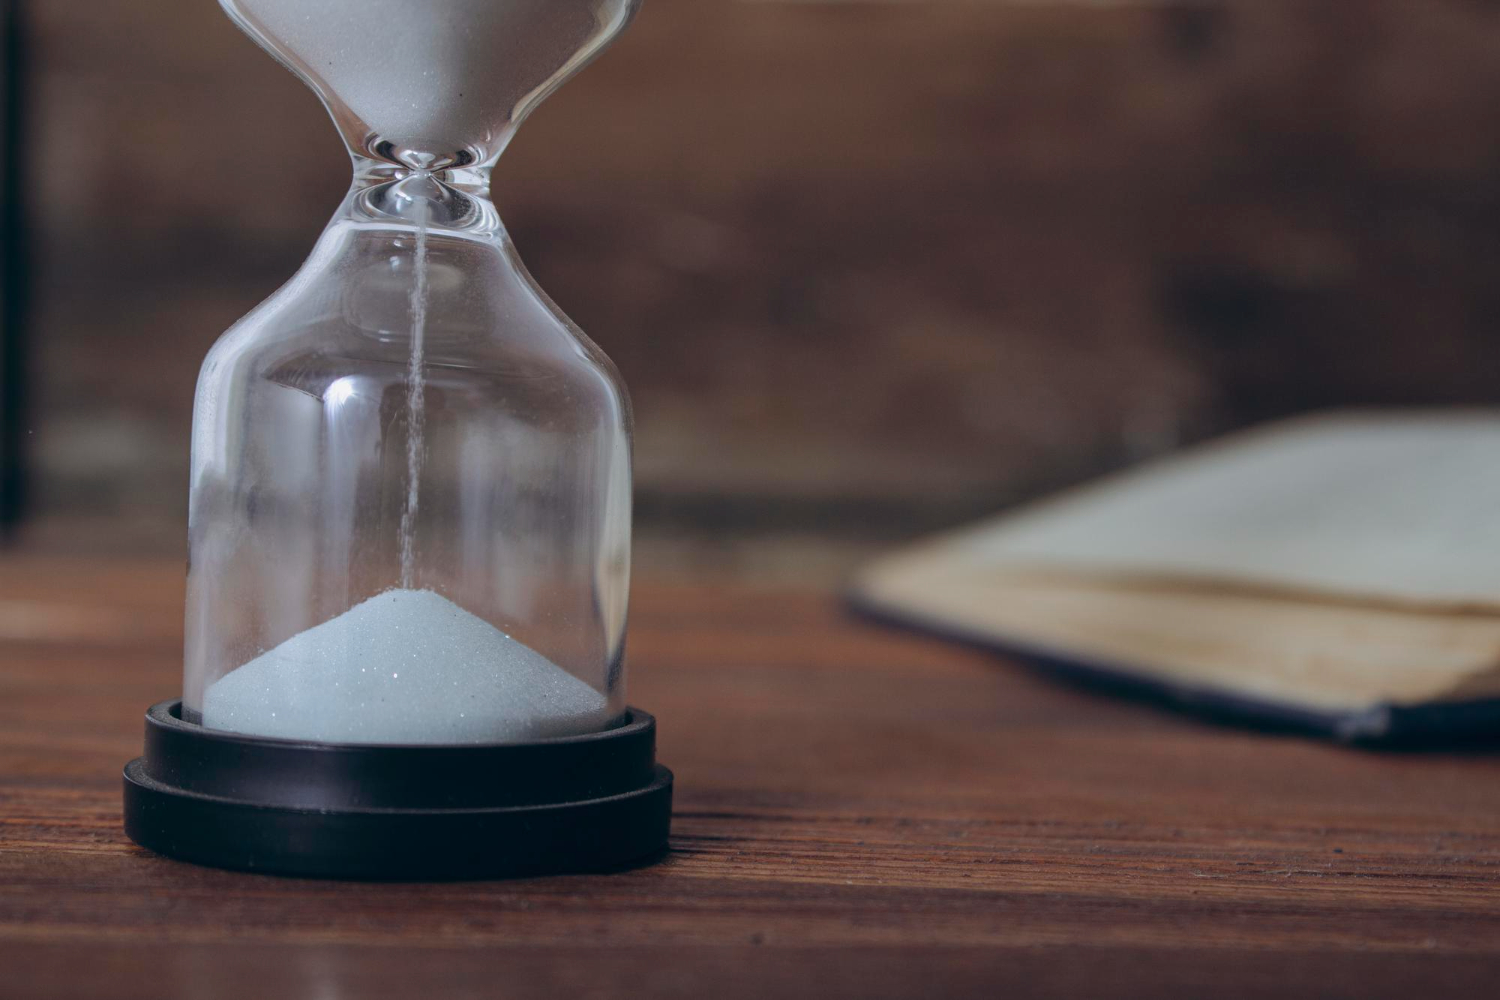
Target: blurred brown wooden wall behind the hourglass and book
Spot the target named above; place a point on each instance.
(868, 268)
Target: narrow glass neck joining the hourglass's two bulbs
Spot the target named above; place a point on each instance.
(446, 200)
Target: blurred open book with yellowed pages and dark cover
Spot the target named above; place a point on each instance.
(1337, 573)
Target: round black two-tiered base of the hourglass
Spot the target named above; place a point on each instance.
(577, 804)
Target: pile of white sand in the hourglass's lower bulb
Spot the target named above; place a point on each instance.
(404, 668)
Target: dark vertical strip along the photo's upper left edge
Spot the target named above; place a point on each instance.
(14, 284)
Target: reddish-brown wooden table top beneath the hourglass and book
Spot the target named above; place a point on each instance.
(859, 813)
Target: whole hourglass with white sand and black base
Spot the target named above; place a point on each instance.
(410, 503)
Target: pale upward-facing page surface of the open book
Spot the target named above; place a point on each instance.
(1370, 507)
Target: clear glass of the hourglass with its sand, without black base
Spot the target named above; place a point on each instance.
(410, 510)
